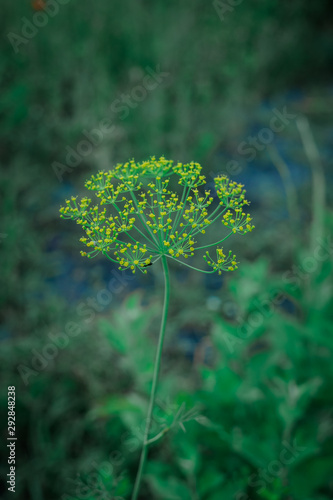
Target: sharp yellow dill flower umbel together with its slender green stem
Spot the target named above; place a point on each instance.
(140, 220)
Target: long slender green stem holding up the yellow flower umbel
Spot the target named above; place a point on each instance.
(155, 379)
